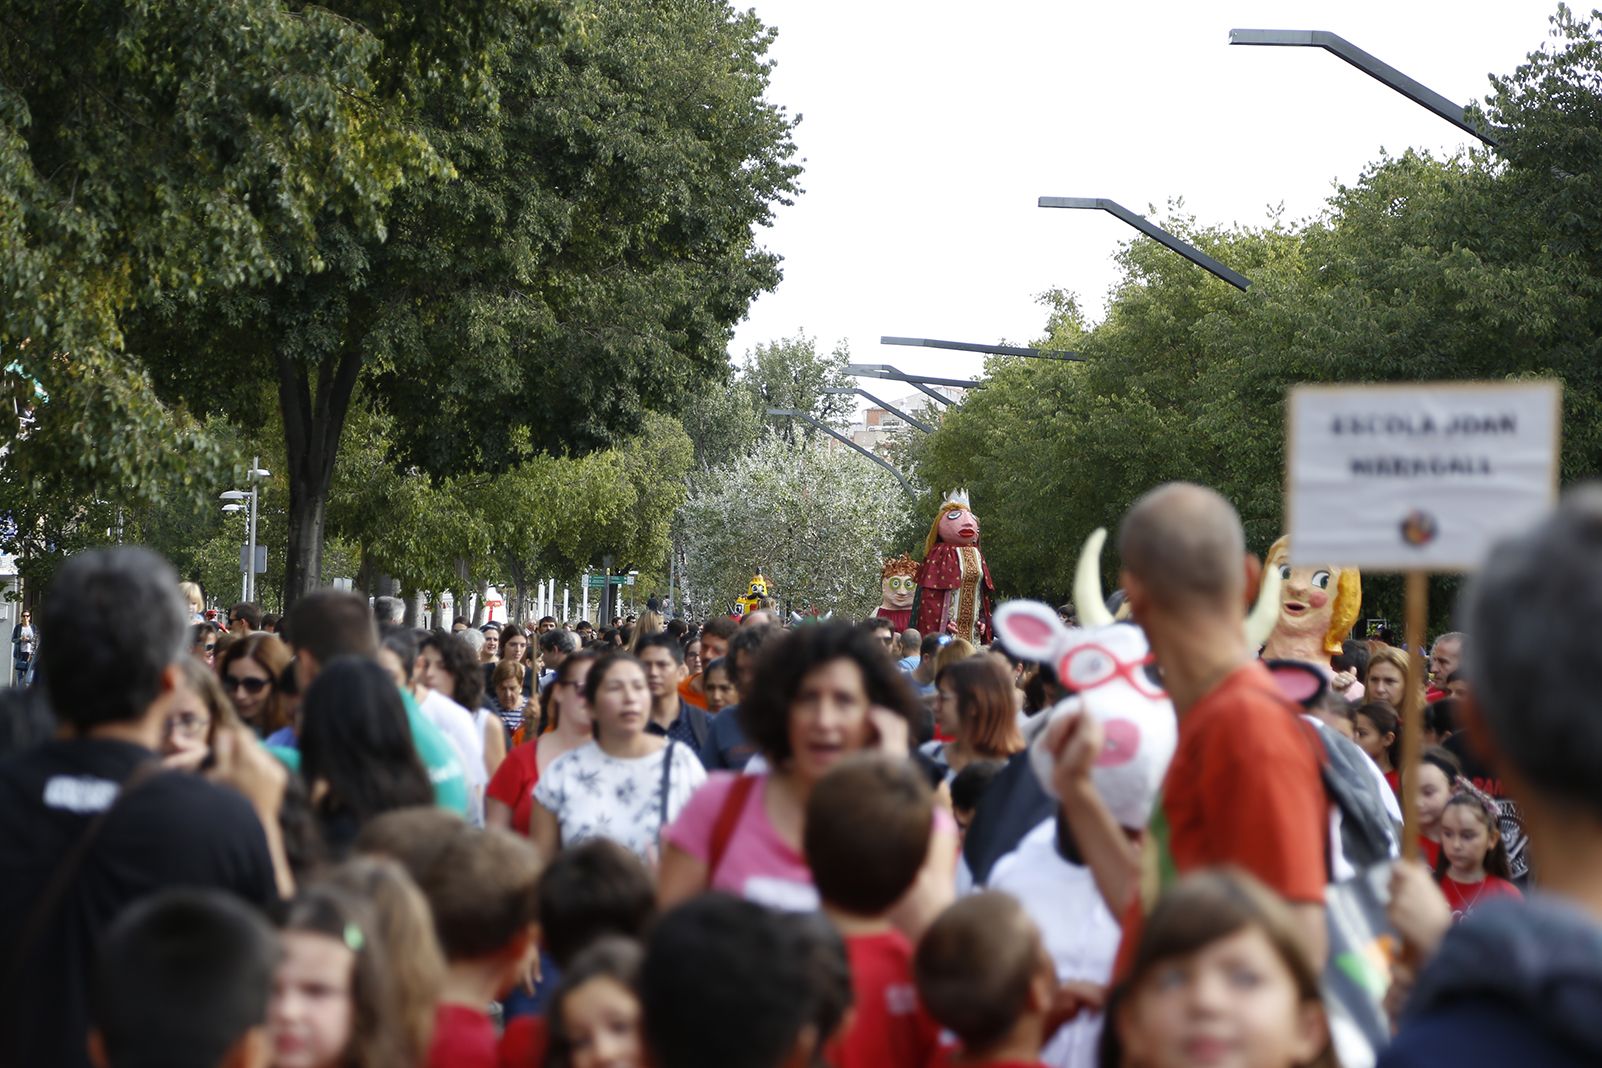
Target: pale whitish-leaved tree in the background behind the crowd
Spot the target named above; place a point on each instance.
(818, 521)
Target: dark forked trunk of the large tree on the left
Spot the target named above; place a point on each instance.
(312, 441)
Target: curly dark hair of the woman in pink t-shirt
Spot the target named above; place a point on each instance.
(765, 713)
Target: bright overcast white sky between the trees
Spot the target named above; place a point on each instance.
(930, 130)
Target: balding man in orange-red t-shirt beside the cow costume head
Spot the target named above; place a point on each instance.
(1244, 787)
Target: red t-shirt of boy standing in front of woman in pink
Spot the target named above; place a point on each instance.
(890, 1030)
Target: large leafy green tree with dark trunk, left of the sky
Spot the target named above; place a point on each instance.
(584, 267)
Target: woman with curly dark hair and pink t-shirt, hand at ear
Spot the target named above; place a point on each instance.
(819, 694)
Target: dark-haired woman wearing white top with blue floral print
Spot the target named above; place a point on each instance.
(627, 784)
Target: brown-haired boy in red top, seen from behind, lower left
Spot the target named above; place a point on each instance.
(481, 889)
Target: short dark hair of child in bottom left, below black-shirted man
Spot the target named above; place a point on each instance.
(182, 978)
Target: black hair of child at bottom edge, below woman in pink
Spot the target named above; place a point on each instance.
(763, 976)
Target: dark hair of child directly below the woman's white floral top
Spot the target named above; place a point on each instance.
(592, 891)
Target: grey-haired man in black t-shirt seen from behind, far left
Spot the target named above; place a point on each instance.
(159, 830)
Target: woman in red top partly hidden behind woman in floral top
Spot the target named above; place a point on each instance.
(509, 801)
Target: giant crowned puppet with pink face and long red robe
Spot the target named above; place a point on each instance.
(954, 584)
